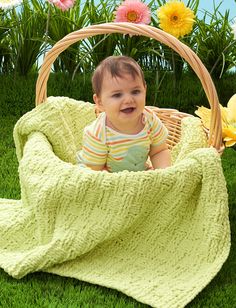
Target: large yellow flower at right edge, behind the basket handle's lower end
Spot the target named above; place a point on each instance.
(228, 116)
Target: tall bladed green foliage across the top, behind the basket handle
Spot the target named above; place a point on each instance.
(28, 31)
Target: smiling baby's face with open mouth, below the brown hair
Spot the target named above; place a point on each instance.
(123, 99)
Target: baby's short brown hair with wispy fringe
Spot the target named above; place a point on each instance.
(117, 66)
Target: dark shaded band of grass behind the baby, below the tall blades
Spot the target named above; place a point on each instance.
(17, 94)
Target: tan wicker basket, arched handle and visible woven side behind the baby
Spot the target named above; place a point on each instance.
(170, 117)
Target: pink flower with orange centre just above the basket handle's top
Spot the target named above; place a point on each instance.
(133, 11)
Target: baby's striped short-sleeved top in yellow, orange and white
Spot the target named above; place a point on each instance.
(116, 151)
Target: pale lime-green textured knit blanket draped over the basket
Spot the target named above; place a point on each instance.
(158, 236)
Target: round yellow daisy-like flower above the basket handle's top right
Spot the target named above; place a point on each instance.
(175, 18)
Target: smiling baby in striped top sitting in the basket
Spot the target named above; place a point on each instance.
(126, 132)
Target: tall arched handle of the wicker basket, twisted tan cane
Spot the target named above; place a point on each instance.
(215, 131)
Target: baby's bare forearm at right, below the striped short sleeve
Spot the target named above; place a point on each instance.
(160, 156)
